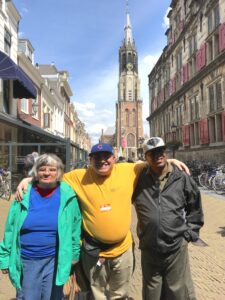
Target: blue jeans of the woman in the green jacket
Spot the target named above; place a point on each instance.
(38, 280)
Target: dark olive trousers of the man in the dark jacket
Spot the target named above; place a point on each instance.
(167, 276)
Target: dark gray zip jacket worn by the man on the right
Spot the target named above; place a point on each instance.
(166, 217)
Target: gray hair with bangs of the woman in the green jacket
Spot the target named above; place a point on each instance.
(48, 159)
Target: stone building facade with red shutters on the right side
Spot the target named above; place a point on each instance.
(187, 84)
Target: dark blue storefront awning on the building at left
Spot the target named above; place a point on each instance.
(22, 84)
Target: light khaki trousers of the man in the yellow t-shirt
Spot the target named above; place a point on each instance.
(111, 279)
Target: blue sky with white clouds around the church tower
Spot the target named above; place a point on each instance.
(83, 37)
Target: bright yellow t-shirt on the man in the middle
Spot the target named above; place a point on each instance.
(106, 203)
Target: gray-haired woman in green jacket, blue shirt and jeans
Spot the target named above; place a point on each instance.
(42, 234)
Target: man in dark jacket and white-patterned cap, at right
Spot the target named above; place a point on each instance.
(169, 211)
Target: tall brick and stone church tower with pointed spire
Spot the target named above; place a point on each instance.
(129, 124)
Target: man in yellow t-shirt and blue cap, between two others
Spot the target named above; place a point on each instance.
(104, 191)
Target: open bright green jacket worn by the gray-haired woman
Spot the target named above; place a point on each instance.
(69, 229)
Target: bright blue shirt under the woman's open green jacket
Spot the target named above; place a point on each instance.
(38, 235)
